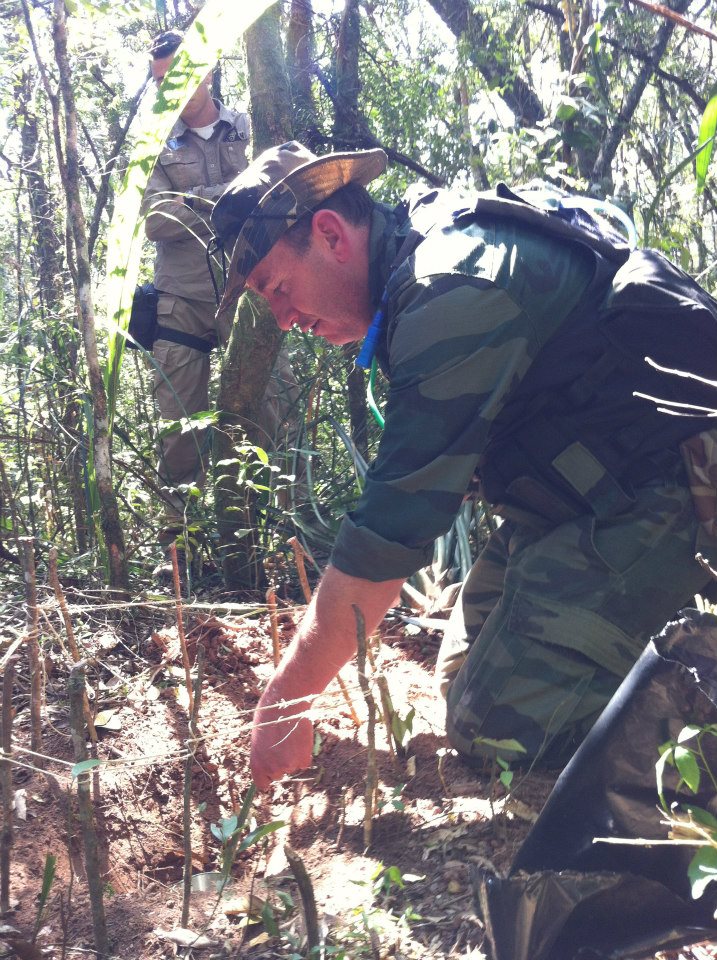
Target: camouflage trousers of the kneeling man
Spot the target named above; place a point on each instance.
(549, 621)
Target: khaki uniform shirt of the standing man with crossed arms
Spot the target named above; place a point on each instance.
(200, 170)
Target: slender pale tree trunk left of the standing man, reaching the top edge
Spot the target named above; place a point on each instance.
(109, 513)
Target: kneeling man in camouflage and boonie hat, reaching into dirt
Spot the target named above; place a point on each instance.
(513, 340)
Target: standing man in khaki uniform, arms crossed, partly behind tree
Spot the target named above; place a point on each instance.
(205, 151)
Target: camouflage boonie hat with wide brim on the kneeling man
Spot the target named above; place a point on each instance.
(274, 191)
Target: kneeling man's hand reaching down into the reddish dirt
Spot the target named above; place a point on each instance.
(278, 745)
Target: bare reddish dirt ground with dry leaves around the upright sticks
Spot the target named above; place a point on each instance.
(407, 896)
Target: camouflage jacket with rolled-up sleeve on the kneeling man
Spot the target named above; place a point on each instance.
(467, 313)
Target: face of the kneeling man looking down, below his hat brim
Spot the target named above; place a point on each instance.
(313, 291)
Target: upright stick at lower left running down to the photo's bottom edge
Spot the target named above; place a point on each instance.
(76, 690)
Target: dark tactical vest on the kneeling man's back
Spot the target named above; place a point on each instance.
(574, 437)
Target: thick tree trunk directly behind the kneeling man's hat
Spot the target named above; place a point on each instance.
(255, 339)
